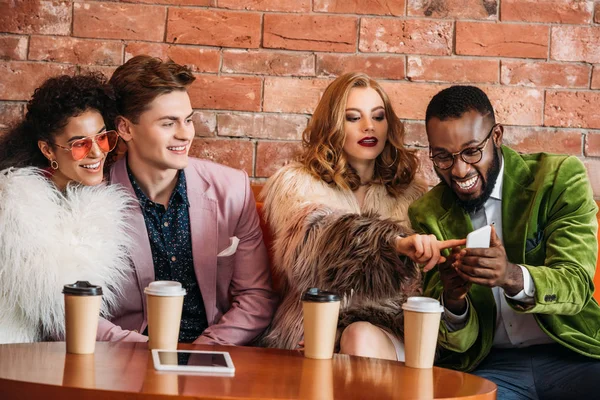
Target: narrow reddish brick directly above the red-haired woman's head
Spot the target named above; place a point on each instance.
(376, 66)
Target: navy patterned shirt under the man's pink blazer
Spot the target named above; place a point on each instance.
(171, 245)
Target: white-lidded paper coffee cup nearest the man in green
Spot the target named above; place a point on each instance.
(421, 327)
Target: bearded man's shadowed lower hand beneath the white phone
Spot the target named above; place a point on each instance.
(455, 287)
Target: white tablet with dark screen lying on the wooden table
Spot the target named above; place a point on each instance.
(196, 361)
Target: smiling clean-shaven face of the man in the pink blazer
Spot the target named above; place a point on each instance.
(161, 139)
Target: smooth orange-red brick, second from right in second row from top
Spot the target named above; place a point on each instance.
(504, 40)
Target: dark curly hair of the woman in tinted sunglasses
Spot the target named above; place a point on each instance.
(52, 104)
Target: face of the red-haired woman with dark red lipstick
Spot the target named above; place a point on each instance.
(365, 126)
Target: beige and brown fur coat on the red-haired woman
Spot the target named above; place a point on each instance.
(322, 238)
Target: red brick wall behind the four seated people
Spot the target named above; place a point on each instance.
(263, 64)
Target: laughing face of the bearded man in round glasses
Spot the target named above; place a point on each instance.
(472, 183)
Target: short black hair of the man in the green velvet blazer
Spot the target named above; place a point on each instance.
(454, 101)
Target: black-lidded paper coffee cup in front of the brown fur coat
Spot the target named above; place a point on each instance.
(321, 311)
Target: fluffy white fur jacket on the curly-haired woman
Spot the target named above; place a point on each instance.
(49, 239)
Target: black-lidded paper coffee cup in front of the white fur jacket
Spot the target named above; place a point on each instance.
(82, 311)
